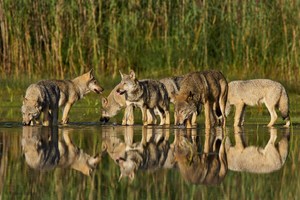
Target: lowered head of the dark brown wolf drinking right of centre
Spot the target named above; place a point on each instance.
(184, 108)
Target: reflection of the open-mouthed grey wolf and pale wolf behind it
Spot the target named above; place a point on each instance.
(151, 153)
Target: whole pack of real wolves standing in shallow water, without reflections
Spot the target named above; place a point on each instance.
(190, 93)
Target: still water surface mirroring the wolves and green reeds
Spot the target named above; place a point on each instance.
(89, 160)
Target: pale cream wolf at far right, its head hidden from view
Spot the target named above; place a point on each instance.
(254, 92)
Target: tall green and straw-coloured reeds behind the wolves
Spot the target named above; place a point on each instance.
(242, 38)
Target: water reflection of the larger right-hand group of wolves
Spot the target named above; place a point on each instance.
(198, 163)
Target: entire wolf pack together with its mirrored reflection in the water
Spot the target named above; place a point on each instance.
(189, 94)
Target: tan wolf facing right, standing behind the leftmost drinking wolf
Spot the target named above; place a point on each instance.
(73, 90)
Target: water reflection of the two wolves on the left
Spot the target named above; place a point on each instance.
(44, 151)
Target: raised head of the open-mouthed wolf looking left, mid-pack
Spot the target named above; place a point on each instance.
(129, 83)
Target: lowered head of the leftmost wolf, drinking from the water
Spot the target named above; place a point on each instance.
(31, 110)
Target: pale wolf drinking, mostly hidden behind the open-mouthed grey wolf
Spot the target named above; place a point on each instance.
(115, 102)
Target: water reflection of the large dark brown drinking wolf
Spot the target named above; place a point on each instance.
(201, 166)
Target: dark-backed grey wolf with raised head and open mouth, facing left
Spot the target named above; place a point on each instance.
(148, 95)
